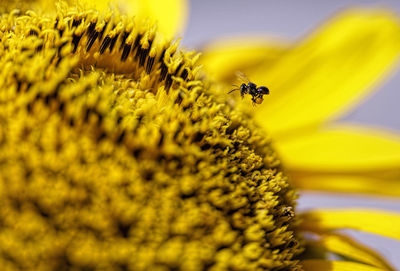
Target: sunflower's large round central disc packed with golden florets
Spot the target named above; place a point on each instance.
(116, 153)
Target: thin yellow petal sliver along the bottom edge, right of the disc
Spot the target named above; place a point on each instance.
(323, 265)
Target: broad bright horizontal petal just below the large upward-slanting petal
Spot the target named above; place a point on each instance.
(341, 148)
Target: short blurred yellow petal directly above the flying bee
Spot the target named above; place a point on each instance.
(223, 58)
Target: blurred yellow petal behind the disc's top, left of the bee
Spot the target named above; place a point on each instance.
(170, 15)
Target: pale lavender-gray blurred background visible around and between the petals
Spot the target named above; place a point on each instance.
(293, 19)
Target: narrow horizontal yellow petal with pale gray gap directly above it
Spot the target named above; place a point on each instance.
(374, 221)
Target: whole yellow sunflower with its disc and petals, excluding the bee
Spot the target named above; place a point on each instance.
(118, 151)
